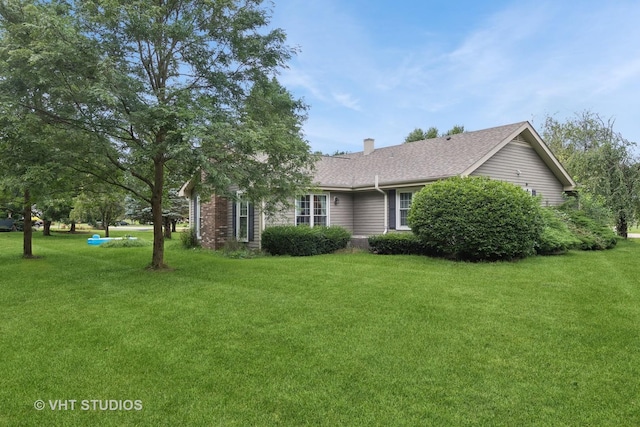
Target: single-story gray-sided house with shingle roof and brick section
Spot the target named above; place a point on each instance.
(370, 192)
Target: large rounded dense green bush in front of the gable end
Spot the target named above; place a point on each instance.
(476, 218)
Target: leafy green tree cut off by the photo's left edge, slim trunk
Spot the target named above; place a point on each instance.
(31, 161)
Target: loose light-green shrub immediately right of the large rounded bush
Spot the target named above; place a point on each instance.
(556, 236)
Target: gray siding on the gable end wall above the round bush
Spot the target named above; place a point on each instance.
(534, 174)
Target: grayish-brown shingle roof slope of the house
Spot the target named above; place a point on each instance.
(418, 161)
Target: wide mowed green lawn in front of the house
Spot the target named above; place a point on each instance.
(342, 339)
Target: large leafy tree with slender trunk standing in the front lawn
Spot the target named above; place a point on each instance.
(173, 88)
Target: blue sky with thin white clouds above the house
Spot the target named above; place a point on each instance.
(381, 68)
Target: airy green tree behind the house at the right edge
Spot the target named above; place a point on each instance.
(601, 161)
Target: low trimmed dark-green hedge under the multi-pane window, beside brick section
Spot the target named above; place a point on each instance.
(304, 241)
